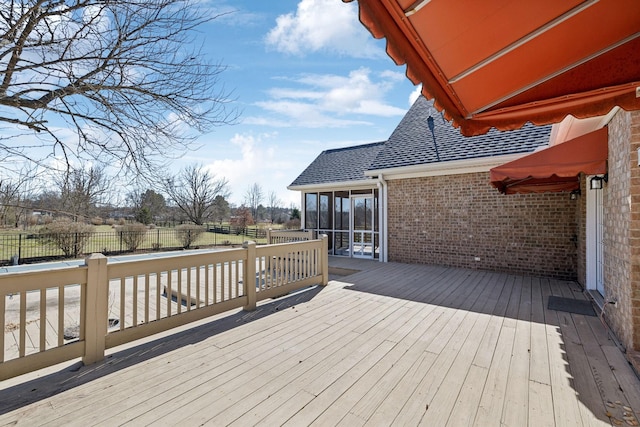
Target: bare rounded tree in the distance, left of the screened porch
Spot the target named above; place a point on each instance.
(194, 191)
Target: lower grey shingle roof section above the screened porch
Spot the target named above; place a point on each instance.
(340, 165)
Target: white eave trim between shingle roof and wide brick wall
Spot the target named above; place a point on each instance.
(454, 167)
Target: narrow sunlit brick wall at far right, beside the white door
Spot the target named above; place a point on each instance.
(622, 228)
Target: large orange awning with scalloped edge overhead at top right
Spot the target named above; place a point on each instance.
(501, 63)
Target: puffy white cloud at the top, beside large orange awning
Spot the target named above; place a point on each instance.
(323, 26)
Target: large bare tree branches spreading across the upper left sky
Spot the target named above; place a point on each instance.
(121, 76)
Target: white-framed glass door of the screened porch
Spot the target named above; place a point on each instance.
(362, 227)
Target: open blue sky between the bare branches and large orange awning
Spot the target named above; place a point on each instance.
(307, 77)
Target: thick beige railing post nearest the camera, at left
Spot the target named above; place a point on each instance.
(95, 321)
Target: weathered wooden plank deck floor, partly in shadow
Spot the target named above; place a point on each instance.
(392, 344)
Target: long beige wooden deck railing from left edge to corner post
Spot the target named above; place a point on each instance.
(51, 316)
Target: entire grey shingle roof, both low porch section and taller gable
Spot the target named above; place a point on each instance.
(411, 143)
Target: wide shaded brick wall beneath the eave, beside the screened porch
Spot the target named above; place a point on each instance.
(454, 220)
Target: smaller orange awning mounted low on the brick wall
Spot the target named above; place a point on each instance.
(556, 168)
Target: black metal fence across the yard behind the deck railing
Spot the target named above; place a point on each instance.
(33, 247)
